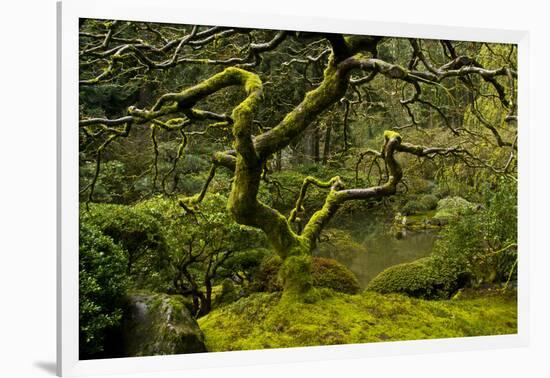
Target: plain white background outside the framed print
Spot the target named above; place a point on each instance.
(27, 189)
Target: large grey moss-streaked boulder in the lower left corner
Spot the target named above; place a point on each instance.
(159, 324)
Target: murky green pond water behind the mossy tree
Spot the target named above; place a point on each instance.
(379, 249)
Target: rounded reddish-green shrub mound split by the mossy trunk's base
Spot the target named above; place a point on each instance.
(326, 273)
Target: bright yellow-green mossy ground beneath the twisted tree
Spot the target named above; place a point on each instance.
(264, 320)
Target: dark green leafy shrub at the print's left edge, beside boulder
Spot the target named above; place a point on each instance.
(102, 285)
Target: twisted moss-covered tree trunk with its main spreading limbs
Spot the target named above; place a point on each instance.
(251, 153)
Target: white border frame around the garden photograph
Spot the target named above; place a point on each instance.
(172, 11)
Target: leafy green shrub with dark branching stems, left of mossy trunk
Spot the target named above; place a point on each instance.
(205, 246)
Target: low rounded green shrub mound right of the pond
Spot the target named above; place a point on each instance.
(419, 279)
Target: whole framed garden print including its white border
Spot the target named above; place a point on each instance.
(239, 187)
